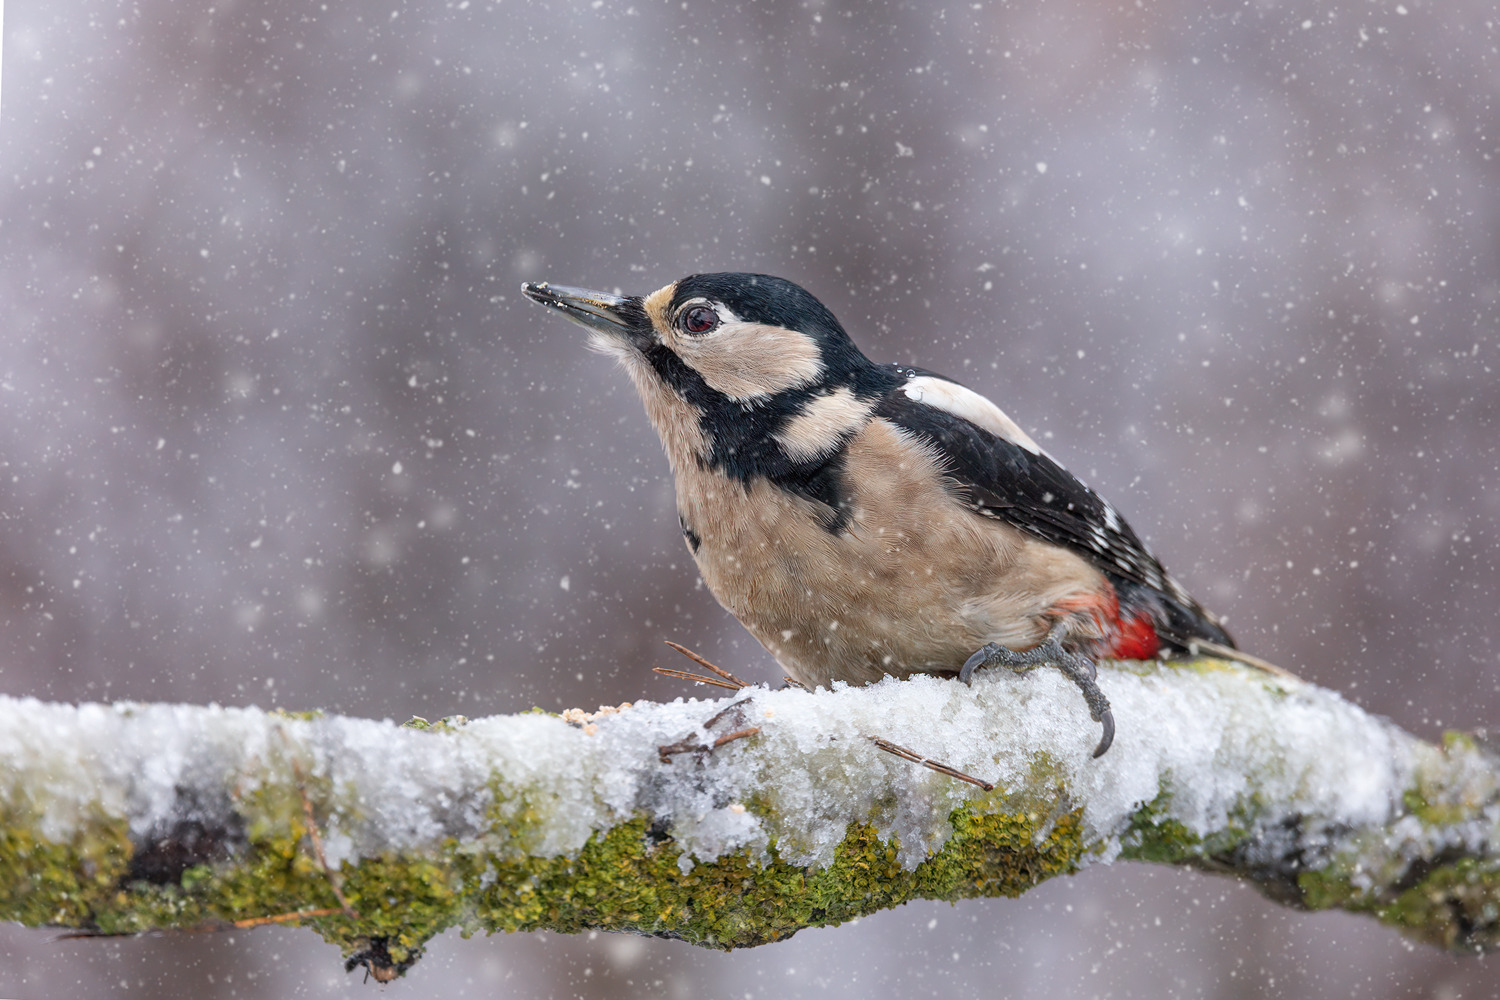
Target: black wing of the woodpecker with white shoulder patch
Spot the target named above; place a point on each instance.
(1000, 472)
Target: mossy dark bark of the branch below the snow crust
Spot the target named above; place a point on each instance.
(245, 852)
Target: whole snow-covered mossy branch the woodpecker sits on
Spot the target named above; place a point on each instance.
(734, 822)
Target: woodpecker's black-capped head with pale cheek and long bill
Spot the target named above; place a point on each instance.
(731, 367)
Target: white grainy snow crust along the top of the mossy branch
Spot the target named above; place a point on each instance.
(1210, 738)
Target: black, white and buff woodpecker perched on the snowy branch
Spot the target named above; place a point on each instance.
(869, 521)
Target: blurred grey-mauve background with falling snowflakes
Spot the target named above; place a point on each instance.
(280, 430)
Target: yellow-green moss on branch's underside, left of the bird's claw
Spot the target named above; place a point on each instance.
(620, 881)
